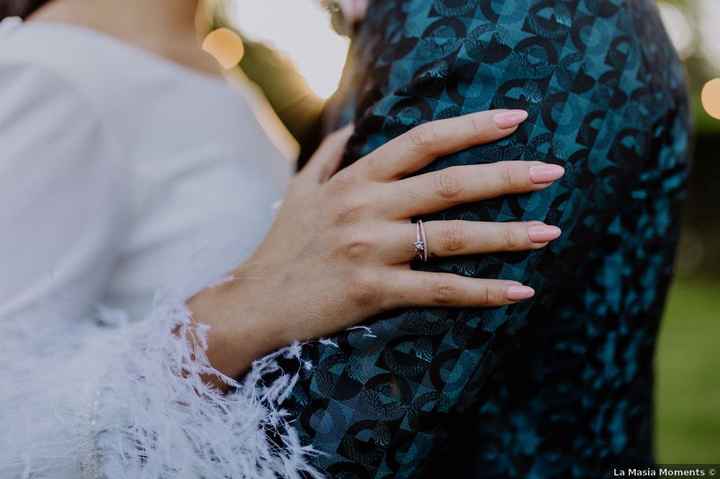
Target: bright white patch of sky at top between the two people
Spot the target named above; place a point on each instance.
(318, 52)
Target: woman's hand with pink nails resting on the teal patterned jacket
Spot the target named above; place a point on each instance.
(341, 246)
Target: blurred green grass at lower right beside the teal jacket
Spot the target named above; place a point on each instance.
(688, 384)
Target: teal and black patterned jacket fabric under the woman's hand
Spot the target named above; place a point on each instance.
(561, 386)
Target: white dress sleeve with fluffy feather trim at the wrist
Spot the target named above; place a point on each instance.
(99, 396)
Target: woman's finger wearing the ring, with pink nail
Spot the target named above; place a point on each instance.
(456, 238)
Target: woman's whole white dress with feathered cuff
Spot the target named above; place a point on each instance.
(127, 183)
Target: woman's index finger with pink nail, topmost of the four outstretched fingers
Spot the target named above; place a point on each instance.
(418, 147)
